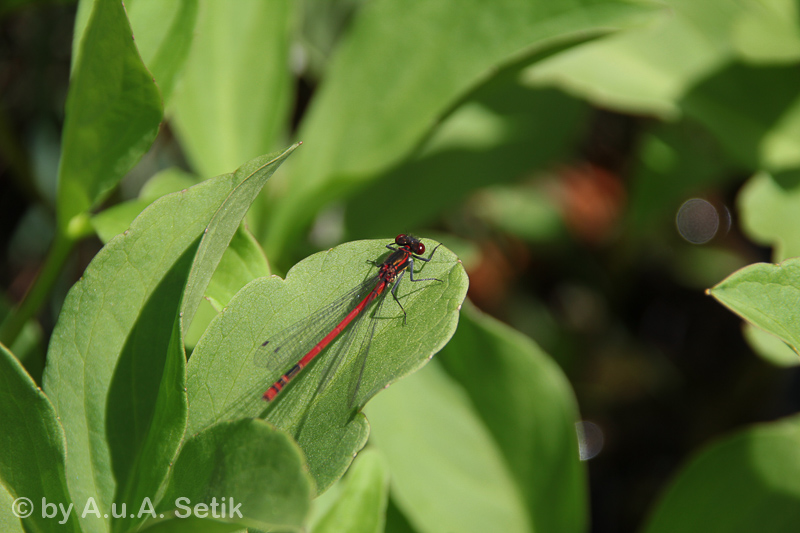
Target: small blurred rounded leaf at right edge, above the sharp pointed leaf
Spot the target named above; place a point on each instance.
(770, 212)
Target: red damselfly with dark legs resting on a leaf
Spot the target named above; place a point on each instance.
(304, 340)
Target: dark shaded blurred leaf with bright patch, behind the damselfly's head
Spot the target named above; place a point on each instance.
(503, 132)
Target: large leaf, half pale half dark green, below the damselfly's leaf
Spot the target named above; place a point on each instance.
(492, 446)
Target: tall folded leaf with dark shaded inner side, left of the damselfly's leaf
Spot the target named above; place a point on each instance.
(118, 338)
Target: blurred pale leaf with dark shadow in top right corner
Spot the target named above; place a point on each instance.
(685, 65)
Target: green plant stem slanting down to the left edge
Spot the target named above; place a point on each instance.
(41, 288)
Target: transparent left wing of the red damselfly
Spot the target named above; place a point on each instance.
(284, 349)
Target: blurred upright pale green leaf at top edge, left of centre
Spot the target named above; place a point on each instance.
(234, 97)
